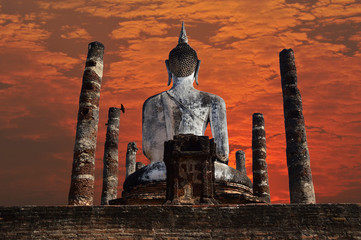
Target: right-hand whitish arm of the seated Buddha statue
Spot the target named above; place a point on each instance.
(218, 121)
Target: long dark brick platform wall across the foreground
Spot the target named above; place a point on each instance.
(315, 221)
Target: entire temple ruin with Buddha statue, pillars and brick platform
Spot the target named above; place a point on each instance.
(187, 191)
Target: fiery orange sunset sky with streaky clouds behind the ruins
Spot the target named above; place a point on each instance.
(43, 47)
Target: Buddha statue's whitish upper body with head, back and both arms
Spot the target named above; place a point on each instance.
(183, 109)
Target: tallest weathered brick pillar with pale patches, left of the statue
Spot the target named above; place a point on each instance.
(82, 178)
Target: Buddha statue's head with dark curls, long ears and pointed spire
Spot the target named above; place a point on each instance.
(183, 60)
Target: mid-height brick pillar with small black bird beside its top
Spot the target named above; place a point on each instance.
(110, 170)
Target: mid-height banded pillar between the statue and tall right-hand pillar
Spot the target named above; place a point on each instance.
(259, 154)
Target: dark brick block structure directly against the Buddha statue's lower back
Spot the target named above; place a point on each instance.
(189, 160)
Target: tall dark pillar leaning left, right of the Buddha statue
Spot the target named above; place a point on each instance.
(298, 158)
